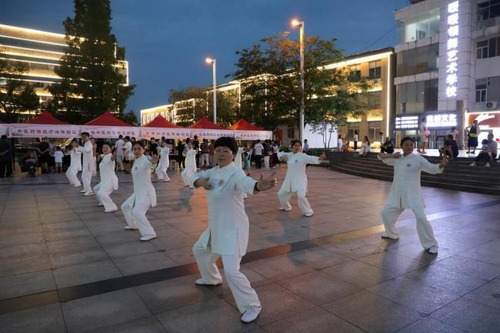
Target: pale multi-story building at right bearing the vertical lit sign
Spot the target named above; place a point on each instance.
(448, 68)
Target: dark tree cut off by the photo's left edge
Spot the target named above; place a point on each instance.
(15, 94)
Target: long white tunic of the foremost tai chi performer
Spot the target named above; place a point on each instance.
(227, 221)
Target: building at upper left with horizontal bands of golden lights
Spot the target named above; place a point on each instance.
(40, 51)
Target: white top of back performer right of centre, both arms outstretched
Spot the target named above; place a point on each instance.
(296, 178)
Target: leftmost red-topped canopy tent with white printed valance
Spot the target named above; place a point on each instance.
(45, 125)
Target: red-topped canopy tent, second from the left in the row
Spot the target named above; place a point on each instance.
(108, 126)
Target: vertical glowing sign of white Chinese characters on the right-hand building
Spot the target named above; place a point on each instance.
(452, 50)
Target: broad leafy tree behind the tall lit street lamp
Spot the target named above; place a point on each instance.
(271, 83)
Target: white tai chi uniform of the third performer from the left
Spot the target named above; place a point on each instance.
(109, 182)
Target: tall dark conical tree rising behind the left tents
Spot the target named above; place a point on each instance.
(90, 68)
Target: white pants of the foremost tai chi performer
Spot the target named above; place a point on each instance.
(244, 295)
